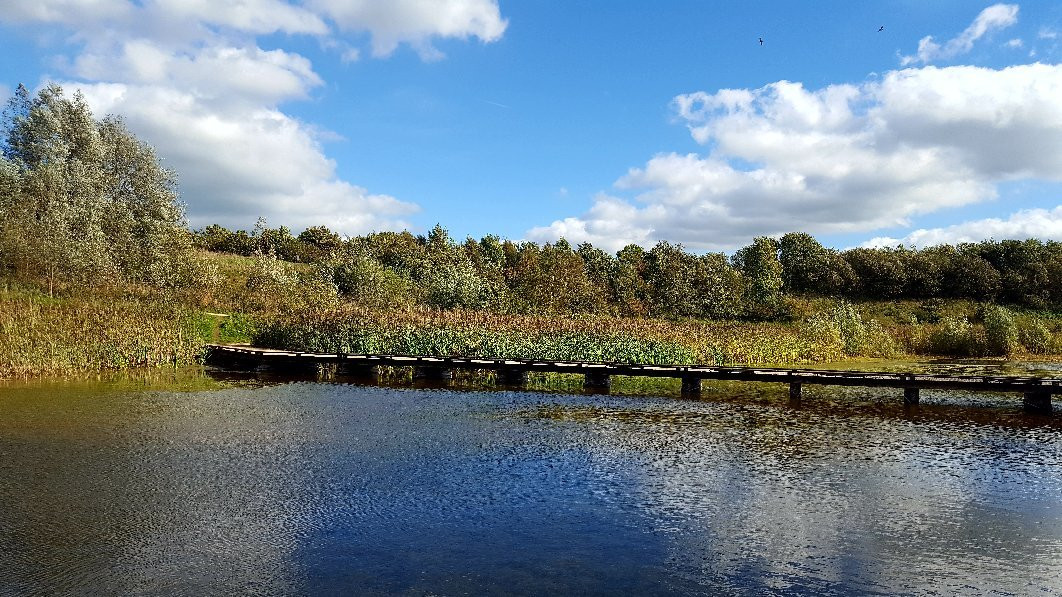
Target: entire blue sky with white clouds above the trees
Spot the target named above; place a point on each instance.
(612, 123)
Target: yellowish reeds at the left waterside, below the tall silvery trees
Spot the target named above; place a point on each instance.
(60, 337)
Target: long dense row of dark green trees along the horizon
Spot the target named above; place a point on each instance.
(397, 268)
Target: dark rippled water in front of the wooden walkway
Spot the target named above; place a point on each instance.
(307, 488)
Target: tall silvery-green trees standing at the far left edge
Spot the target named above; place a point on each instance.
(83, 201)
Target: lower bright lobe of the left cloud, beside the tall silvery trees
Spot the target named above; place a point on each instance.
(235, 167)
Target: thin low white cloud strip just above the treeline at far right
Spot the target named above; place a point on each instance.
(1044, 225)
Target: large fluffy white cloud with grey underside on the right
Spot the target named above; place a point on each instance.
(842, 159)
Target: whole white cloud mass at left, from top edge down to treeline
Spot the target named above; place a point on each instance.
(191, 79)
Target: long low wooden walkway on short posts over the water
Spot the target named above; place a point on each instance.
(1037, 391)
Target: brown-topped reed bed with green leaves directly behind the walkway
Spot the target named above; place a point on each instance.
(478, 334)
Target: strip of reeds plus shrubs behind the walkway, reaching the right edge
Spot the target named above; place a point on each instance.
(836, 331)
